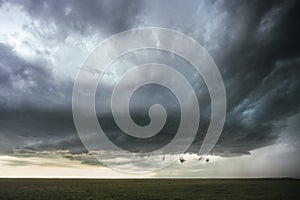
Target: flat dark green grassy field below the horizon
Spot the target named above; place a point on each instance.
(149, 189)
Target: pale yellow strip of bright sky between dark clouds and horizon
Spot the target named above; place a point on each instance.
(257, 164)
